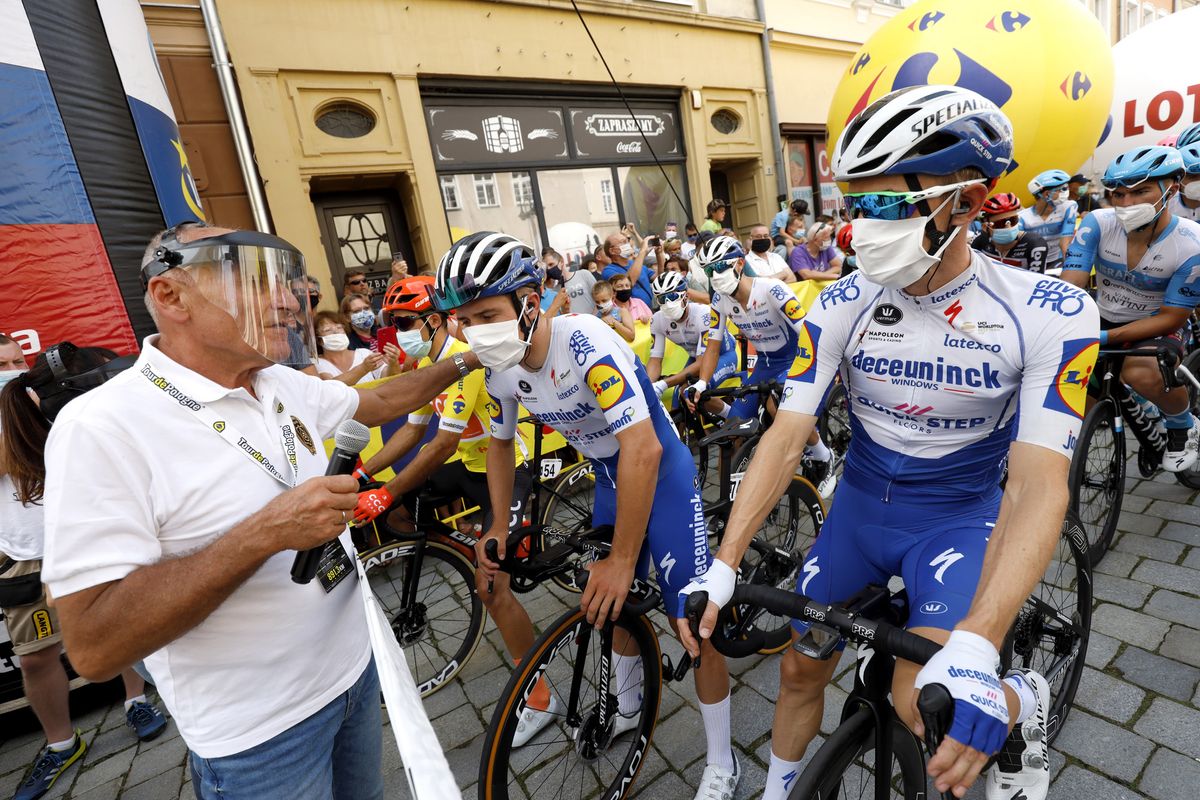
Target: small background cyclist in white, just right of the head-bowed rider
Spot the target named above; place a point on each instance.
(686, 324)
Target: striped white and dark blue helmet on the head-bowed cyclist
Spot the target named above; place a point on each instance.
(485, 264)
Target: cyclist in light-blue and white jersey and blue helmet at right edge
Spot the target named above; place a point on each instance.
(1148, 281)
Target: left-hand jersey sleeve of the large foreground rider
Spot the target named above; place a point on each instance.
(824, 336)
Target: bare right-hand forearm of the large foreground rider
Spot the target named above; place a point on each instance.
(1022, 545)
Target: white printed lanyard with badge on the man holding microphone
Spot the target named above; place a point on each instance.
(335, 563)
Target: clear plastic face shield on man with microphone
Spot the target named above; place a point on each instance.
(259, 280)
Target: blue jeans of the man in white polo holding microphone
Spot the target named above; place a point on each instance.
(334, 755)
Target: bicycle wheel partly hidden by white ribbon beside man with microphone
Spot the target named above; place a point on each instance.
(442, 629)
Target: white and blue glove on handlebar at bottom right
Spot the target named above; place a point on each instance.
(968, 667)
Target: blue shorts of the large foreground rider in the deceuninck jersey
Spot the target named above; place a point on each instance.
(937, 549)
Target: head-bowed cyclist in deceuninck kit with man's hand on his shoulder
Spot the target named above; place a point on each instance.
(578, 376)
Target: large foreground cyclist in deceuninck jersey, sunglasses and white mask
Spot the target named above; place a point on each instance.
(953, 365)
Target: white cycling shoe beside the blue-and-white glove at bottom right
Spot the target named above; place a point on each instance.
(1023, 766)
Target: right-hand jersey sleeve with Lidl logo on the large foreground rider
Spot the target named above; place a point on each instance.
(1058, 366)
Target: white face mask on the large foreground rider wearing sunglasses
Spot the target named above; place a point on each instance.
(891, 254)
